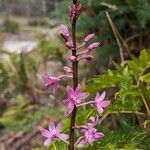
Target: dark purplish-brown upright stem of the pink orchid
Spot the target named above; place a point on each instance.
(75, 84)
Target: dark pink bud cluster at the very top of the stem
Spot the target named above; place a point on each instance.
(74, 12)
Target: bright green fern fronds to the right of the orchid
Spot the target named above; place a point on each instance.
(131, 80)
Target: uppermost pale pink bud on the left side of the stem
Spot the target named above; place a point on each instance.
(64, 32)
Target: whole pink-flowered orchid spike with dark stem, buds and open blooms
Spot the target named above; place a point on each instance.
(75, 98)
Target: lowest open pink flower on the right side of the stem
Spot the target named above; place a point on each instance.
(90, 135)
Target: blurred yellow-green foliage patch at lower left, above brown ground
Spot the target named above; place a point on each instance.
(22, 116)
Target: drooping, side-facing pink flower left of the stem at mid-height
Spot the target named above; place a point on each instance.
(51, 81)
